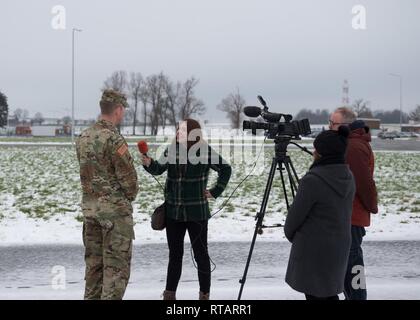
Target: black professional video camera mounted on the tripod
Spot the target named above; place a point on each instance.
(273, 125)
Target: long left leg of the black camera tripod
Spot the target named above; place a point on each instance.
(259, 217)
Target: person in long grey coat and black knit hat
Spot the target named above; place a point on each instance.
(318, 223)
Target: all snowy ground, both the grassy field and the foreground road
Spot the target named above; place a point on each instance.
(41, 225)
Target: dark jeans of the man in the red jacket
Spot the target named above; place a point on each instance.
(355, 259)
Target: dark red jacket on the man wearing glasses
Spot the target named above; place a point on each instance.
(361, 162)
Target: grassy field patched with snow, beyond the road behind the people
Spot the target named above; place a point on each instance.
(40, 196)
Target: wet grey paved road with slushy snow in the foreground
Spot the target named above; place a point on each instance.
(28, 269)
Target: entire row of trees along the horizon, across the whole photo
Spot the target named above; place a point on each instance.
(159, 102)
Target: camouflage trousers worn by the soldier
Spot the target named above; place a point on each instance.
(108, 247)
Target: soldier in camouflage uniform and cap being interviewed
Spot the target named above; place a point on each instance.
(109, 184)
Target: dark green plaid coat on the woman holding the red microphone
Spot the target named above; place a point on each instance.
(187, 179)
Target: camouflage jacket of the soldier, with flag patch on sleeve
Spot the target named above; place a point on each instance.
(107, 173)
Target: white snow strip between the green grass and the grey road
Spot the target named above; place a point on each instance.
(65, 229)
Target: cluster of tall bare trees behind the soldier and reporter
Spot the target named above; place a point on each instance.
(160, 100)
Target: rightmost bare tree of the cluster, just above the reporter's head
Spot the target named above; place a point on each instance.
(189, 104)
